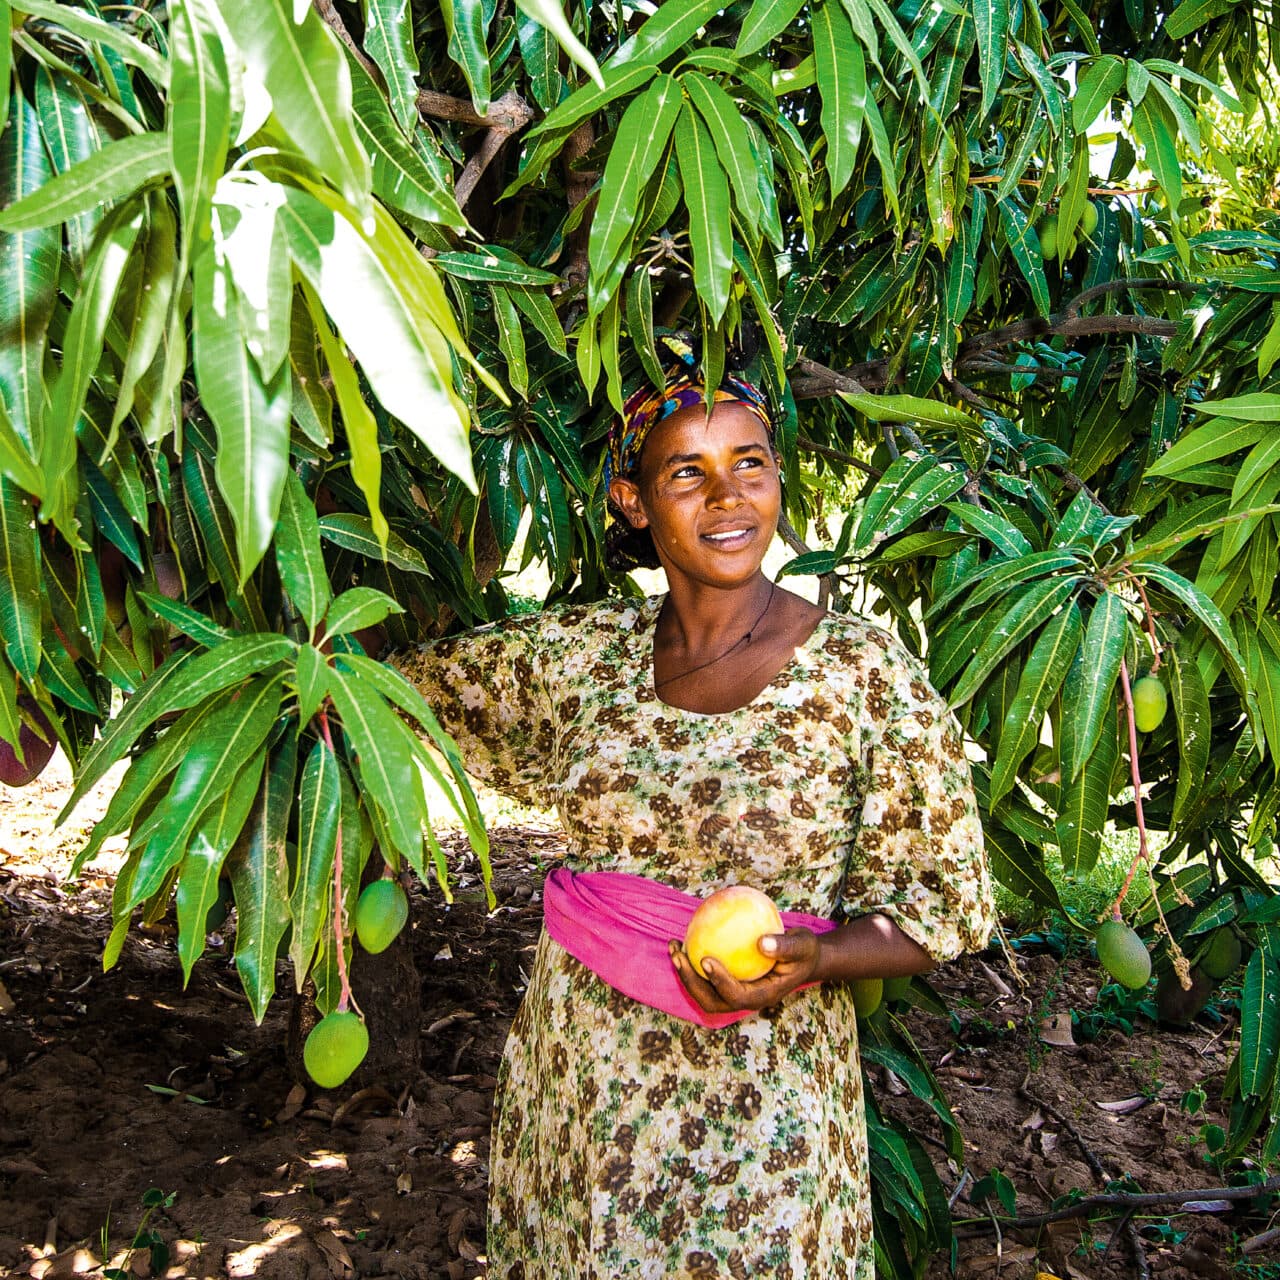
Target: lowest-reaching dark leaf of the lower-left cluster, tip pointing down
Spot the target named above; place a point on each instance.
(260, 879)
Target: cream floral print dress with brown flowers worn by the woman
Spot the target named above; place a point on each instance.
(628, 1142)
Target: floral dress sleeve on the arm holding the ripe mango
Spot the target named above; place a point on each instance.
(918, 857)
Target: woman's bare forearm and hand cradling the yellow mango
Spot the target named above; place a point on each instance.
(872, 947)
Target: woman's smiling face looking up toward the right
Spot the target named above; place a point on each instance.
(708, 492)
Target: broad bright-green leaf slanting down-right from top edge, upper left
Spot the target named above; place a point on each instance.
(303, 67)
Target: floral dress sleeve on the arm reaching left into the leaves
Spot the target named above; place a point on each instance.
(488, 691)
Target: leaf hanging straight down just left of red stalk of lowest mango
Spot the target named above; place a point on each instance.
(310, 894)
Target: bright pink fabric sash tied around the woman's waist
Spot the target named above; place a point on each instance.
(619, 926)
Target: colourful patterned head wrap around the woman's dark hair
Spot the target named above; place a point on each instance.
(628, 547)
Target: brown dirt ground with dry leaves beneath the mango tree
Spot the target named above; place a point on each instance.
(130, 1107)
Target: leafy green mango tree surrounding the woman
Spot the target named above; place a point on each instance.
(304, 309)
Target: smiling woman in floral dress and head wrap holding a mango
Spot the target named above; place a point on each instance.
(730, 733)
